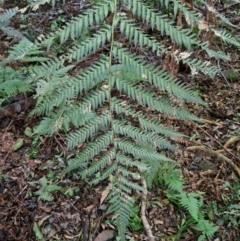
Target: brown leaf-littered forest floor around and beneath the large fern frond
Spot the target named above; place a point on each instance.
(210, 162)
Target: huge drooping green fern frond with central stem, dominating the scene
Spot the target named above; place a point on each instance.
(112, 111)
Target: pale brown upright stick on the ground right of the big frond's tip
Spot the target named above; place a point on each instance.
(143, 213)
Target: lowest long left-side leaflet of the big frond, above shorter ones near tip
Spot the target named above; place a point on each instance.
(92, 148)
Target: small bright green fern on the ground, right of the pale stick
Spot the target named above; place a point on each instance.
(170, 175)
